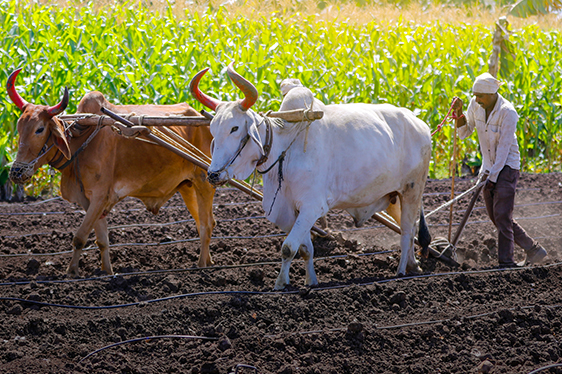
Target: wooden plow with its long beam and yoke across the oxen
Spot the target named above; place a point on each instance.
(143, 128)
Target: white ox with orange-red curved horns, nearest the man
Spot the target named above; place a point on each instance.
(358, 157)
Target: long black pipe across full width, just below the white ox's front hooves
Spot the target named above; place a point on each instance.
(315, 289)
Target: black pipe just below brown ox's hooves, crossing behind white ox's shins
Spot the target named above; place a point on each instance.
(156, 272)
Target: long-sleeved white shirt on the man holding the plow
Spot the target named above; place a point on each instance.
(497, 138)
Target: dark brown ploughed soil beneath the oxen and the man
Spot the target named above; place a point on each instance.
(225, 319)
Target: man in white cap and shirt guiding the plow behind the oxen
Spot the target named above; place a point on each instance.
(495, 120)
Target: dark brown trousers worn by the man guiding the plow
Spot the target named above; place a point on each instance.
(500, 199)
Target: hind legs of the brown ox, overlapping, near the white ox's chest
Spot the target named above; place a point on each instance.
(199, 201)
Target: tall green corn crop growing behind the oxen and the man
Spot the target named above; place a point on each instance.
(135, 55)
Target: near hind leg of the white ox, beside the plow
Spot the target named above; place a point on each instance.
(408, 263)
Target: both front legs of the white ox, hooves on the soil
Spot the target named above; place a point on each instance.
(298, 240)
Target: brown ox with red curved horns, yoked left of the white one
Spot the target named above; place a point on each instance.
(112, 167)
